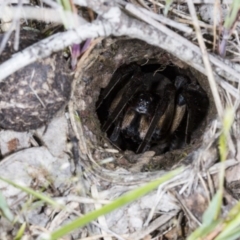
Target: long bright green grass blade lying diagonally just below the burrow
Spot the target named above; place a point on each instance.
(119, 202)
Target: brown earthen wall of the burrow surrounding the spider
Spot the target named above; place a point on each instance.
(96, 72)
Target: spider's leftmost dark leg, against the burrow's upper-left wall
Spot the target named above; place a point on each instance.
(118, 79)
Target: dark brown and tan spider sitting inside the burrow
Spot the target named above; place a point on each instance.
(146, 109)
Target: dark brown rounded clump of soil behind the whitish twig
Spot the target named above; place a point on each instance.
(32, 96)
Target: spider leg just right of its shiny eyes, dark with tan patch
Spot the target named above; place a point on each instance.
(162, 118)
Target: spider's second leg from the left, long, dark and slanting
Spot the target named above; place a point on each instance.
(134, 84)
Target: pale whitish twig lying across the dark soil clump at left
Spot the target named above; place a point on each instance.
(53, 43)
